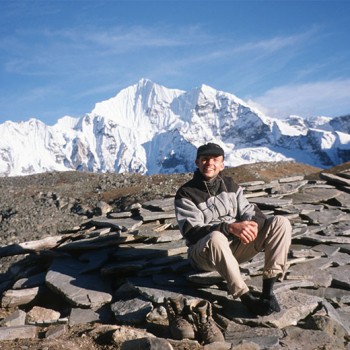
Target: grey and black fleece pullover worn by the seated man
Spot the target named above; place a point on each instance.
(205, 206)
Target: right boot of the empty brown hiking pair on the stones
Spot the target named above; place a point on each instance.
(207, 329)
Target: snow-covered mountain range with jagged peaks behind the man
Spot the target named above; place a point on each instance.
(149, 129)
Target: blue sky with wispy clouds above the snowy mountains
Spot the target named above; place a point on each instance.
(61, 57)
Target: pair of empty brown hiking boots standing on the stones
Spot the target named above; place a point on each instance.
(192, 320)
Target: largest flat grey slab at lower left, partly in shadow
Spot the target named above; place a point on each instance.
(81, 290)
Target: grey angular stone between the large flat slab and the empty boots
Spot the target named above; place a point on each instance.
(132, 311)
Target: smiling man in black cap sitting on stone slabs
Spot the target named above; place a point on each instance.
(222, 229)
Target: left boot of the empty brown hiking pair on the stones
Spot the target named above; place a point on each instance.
(179, 327)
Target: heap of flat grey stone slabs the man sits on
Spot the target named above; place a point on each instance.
(115, 271)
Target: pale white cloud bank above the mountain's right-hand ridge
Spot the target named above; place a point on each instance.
(326, 98)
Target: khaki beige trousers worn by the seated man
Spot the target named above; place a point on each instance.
(215, 252)
